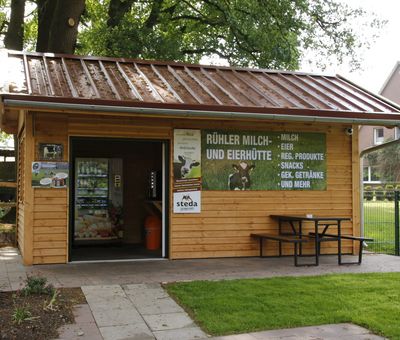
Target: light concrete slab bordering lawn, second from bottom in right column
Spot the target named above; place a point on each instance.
(161, 322)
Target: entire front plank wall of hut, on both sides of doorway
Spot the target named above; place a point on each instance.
(223, 227)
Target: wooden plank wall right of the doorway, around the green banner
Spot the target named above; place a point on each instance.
(227, 218)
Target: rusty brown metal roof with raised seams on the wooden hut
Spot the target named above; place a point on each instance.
(125, 82)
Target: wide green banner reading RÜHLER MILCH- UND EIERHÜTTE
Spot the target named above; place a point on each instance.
(259, 160)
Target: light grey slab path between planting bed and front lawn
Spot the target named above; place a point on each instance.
(139, 311)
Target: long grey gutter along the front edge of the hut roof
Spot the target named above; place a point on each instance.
(196, 113)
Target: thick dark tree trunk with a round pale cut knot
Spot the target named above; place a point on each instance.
(64, 26)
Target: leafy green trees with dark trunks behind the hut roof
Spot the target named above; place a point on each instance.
(263, 33)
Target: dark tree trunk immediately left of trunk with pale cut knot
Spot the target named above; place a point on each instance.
(45, 17)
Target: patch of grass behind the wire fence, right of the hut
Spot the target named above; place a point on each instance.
(379, 225)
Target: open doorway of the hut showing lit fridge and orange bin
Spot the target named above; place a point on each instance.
(117, 208)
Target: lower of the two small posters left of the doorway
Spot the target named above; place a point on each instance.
(50, 174)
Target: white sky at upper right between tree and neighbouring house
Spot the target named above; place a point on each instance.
(380, 59)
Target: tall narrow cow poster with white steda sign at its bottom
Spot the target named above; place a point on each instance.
(187, 171)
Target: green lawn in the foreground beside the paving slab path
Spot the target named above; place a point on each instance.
(241, 306)
